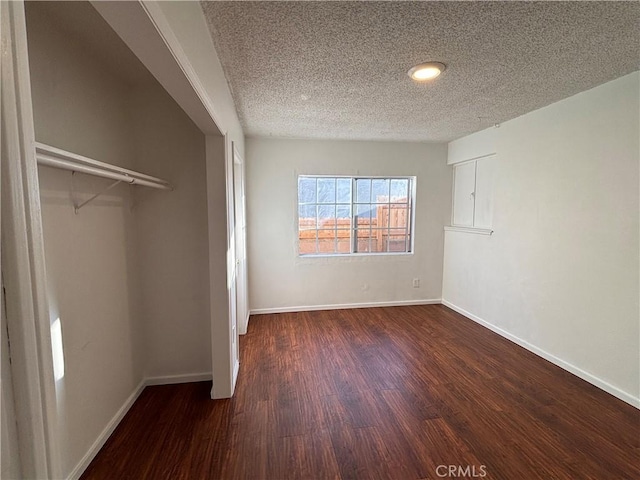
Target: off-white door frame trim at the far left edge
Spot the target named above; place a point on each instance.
(22, 261)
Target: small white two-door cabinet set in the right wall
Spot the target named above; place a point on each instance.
(473, 194)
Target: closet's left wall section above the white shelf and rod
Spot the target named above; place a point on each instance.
(80, 105)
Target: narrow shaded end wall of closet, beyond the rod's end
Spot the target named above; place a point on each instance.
(171, 237)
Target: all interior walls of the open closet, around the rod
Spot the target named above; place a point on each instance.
(127, 276)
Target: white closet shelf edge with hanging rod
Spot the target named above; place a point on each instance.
(57, 158)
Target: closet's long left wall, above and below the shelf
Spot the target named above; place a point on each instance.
(80, 106)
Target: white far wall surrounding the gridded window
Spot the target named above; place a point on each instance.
(280, 279)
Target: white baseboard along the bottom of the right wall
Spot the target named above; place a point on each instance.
(592, 379)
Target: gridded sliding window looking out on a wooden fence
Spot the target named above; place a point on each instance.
(349, 215)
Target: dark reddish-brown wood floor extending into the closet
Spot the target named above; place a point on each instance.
(378, 393)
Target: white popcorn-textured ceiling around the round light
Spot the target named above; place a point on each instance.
(339, 69)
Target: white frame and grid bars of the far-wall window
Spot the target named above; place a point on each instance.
(409, 229)
